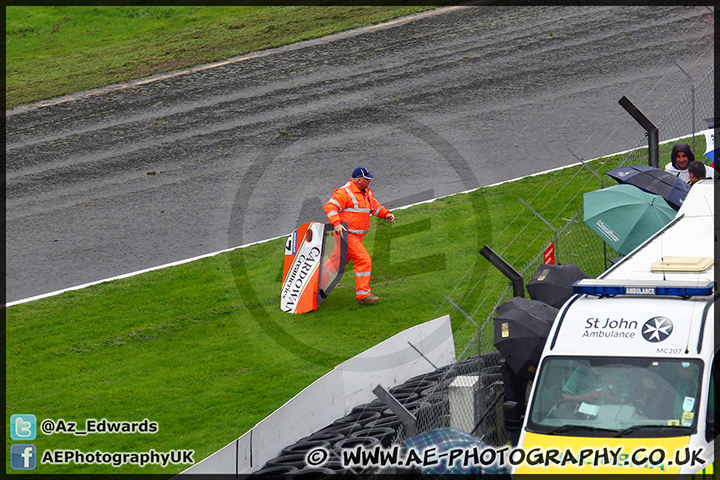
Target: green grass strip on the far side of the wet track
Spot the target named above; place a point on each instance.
(59, 50)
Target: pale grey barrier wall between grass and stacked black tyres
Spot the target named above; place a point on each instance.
(332, 396)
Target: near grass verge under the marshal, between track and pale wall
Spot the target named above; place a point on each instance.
(204, 350)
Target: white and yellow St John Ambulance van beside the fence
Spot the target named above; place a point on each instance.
(625, 383)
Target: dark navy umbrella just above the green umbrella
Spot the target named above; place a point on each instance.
(653, 180)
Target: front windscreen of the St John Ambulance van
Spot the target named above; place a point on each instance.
(616, 396)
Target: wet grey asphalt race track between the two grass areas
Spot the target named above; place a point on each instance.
(154, 172)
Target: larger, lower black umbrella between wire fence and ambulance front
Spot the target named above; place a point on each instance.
(521, 328)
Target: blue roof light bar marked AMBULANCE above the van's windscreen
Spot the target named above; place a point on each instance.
(604, 288)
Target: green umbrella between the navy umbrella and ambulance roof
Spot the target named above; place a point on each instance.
(625, 216)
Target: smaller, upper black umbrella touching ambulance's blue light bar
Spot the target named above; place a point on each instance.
(552, 284)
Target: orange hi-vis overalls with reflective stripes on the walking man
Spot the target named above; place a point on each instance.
(349, 204)
